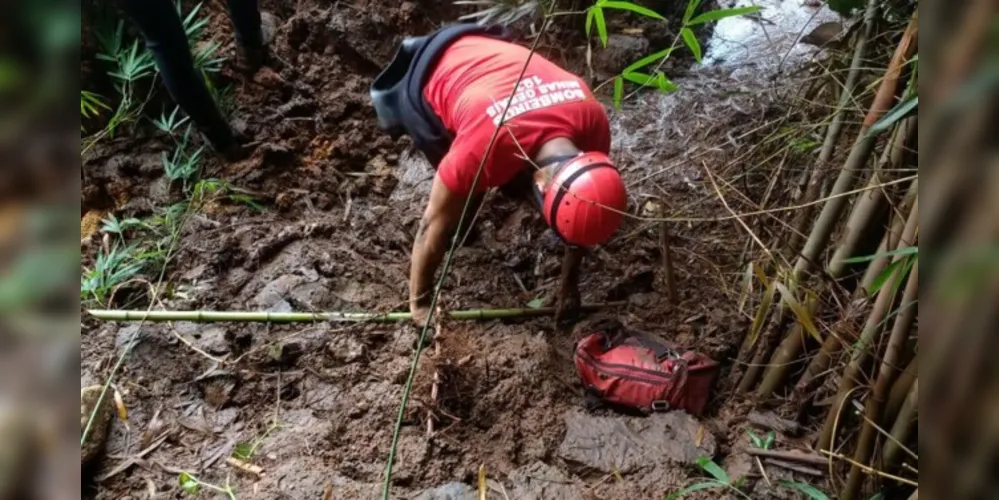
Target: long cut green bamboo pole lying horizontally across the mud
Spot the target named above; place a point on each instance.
(345, 317)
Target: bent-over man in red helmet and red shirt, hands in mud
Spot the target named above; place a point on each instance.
(551, 147)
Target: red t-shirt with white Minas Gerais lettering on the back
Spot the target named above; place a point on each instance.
(468, 89)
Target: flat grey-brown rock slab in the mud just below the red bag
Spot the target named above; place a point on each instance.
(624, 444)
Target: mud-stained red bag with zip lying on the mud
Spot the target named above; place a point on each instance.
(629, 368)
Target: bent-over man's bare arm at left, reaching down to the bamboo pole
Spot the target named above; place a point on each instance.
(436, 227)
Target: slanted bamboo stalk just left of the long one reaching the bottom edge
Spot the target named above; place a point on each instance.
(870, 332)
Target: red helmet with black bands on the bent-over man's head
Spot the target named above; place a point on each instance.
(585, 200)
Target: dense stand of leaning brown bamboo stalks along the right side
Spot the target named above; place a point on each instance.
(833, 339)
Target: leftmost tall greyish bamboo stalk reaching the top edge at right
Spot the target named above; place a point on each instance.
(814, 181)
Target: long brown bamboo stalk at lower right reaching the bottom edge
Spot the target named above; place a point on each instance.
(886, 375)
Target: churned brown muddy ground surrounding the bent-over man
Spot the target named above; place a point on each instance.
(315, 404)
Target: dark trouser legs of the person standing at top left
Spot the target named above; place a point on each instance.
(163, 31)
